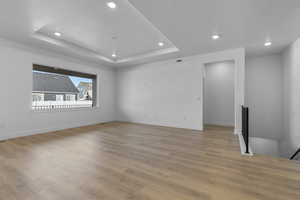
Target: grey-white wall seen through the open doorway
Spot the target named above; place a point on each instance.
(219, 93)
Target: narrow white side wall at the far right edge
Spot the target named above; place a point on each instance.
(290, 140)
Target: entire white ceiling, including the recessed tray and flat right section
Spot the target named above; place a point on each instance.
(92, 31)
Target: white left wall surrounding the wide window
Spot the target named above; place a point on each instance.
(16, 116)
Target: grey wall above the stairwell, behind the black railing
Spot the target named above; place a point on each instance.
(264, 96)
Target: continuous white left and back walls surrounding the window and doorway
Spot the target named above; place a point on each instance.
(164, 93)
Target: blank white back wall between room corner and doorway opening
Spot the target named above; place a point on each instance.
(163, 93)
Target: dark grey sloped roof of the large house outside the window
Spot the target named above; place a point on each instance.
(46, 82)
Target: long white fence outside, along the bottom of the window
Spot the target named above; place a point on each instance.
(48, 105)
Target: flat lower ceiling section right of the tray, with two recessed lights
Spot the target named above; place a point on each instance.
(241, 23)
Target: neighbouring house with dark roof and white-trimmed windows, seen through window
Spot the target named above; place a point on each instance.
(53, 87)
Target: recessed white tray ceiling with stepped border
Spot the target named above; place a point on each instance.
(92, 28)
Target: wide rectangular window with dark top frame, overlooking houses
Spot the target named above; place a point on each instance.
(55, 88)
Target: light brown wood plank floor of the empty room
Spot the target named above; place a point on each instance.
(122, 161)
